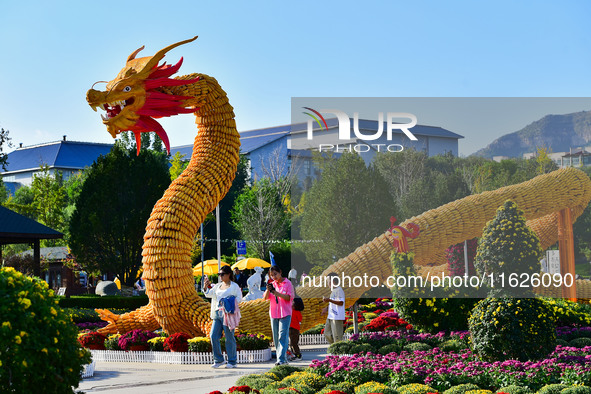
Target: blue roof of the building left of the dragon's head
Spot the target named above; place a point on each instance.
(59, 154)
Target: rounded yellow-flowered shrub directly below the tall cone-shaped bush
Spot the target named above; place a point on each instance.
(508, 328)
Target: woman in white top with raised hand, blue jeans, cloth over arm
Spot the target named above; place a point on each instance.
(226, 288)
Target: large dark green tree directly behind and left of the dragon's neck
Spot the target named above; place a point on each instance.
(108, 223)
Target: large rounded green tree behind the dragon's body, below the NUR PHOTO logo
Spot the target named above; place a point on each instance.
(348, 206)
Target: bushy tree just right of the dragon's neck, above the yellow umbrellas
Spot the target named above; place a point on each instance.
(260, 216)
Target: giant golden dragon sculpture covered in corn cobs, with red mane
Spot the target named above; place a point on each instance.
(143, 91)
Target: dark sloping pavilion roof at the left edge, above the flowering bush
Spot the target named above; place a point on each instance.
(16, 228)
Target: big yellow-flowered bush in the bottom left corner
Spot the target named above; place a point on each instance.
(38, 341)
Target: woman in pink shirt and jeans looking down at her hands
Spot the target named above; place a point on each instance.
(280, 293)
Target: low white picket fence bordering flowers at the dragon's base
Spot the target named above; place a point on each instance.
(244, 356)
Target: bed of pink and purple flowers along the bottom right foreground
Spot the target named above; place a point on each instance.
(442, 370)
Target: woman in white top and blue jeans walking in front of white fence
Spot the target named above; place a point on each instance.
(225, 297)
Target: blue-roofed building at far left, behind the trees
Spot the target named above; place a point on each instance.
(67, 157)
